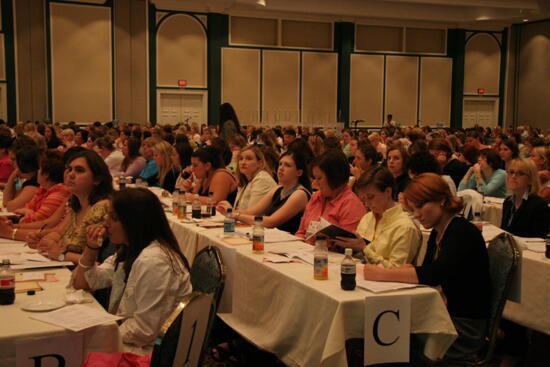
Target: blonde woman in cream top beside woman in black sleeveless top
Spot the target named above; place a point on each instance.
(254, 180)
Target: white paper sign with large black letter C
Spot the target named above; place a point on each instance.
(387, 329)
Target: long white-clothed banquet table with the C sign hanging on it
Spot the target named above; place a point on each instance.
(280, 308)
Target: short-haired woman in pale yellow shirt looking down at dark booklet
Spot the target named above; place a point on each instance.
(386, 235)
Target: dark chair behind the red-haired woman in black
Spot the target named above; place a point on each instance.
(503, 261)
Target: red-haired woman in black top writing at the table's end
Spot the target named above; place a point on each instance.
(456, 260)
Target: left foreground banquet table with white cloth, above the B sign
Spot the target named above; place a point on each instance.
(17, 325)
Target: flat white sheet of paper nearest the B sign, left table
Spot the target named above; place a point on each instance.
(76, 317)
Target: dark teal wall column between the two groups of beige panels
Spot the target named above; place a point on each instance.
(344, 40)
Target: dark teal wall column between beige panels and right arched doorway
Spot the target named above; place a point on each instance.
(456, 43)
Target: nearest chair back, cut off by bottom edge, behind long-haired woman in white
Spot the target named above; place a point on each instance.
(183, 335)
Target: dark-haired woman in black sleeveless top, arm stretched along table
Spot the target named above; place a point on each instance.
(284, 205)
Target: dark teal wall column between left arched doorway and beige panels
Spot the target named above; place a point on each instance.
(218, 37)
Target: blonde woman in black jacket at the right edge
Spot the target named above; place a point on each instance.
(524, 213)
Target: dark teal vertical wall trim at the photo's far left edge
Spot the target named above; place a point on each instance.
(9, 56)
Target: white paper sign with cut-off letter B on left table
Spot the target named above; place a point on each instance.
(52, 351)
